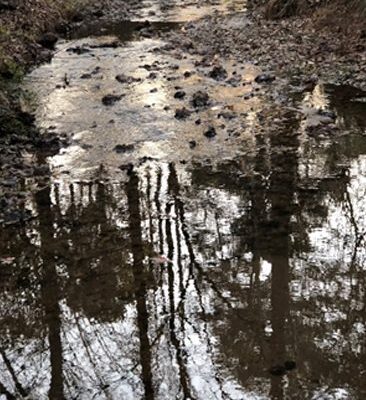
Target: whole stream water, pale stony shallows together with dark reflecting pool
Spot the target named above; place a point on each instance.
(155, 269)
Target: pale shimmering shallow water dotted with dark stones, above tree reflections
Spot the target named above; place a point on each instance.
(144, 116)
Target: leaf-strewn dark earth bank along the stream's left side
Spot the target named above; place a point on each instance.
(28, 36)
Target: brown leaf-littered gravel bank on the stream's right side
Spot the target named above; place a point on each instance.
(289, 48)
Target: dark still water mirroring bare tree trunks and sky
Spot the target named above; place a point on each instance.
(266, 267)
